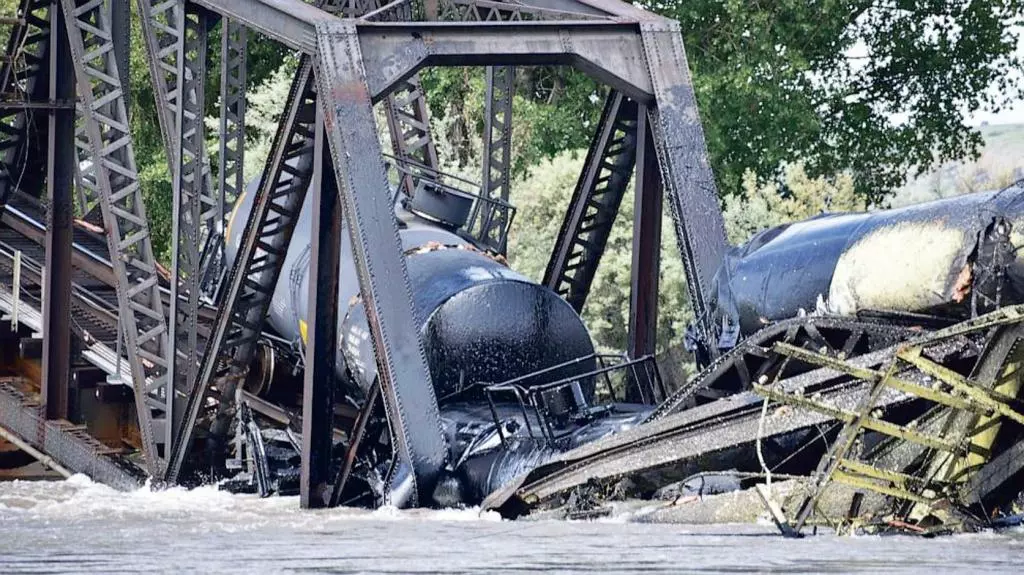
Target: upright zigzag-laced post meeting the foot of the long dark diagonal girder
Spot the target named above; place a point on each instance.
(192, 210)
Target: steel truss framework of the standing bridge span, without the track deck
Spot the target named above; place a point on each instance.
(355, 63)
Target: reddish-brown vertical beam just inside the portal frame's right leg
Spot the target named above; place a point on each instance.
(647, 244)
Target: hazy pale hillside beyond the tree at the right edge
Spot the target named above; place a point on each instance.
(1002, 162)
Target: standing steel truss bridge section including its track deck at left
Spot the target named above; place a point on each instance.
(77, 266)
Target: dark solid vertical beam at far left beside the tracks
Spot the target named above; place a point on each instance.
(60, 182)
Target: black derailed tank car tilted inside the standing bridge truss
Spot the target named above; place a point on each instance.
(513, 364)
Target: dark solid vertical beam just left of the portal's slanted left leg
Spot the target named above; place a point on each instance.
(318, 396)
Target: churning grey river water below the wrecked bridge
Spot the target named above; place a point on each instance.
(78, 526)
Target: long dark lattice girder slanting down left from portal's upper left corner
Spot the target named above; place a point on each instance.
(261, 257)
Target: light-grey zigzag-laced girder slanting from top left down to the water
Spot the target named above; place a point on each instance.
(110, 174)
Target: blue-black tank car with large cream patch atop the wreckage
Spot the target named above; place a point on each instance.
(950, 259)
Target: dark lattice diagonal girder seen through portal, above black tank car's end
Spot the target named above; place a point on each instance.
(595, 203)
